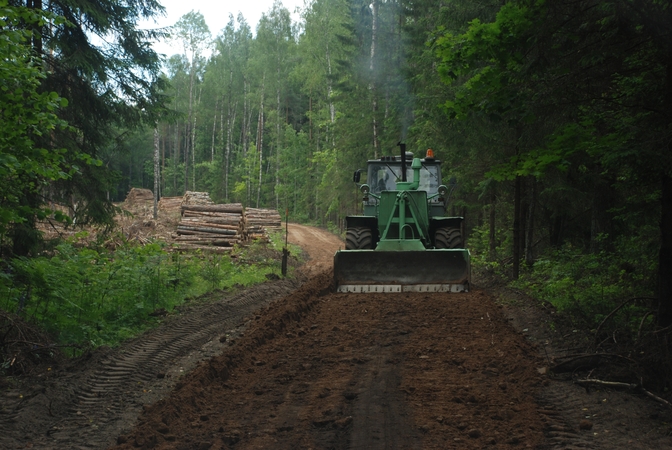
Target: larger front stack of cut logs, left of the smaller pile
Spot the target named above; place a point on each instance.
(210, 227)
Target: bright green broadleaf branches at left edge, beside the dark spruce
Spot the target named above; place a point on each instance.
(27, 113)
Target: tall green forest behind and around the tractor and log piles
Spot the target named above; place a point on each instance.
(554, 117)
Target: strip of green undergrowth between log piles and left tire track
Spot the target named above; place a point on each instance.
(88, 297)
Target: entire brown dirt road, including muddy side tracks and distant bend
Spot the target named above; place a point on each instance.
(281, 367)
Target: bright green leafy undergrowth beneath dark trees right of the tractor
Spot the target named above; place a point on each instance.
(585, 287)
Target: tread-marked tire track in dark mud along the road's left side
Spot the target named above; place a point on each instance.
(105, 399)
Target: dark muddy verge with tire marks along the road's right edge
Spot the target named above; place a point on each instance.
(577, 417)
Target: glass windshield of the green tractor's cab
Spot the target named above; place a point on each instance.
(383, 176)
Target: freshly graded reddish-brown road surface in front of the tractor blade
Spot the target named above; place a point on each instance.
(379, 371)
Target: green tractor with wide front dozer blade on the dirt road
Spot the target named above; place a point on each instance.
(403, 242)
